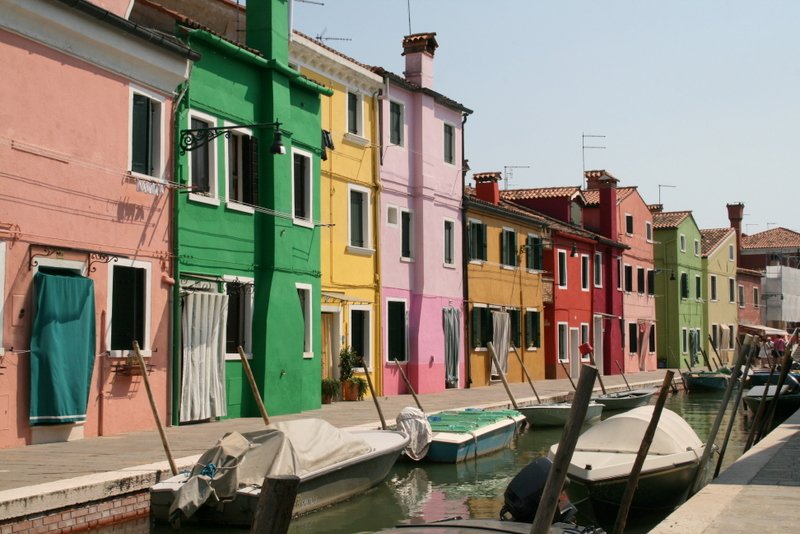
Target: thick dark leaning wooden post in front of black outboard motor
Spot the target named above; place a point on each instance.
(566, 447)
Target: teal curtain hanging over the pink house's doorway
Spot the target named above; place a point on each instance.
(62, 347)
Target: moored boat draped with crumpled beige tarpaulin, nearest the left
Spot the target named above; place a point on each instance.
(225, 484)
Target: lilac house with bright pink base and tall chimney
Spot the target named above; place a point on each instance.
(421, 273)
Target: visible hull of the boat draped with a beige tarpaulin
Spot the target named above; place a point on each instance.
(316, 490)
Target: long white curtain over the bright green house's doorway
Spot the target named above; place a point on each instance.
(203, 325)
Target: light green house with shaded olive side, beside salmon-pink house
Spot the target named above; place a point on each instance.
(680, 310)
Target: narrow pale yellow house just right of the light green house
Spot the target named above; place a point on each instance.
(720, 292)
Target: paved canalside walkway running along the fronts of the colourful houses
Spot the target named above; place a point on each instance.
(38, 478)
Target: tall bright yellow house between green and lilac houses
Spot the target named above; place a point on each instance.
(349, 202)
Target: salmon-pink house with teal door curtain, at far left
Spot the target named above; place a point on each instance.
(85, 239)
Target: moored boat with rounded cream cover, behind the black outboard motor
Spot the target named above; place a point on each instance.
(604, 456)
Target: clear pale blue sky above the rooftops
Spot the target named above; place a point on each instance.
(699, 97)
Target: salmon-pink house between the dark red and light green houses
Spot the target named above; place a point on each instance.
(634, 228)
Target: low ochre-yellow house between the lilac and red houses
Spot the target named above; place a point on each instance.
(505, 273)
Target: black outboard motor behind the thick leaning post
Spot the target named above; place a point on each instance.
(524, 492)
